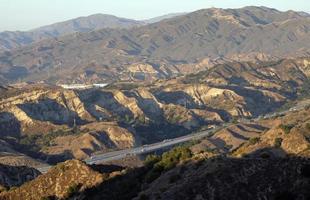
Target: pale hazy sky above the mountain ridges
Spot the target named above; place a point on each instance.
(29, 14)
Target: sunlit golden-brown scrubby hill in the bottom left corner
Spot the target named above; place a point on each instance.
(60, 182)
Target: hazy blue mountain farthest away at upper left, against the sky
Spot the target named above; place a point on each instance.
(14, 39)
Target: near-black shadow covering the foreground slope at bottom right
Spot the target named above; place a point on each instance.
(288, 178)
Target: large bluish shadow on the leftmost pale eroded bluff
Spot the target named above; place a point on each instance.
(50, 110)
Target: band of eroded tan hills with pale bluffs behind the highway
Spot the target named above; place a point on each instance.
(55, 124)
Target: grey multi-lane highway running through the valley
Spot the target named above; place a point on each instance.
(116, 155)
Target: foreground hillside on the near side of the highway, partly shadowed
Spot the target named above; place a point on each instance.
(193, 171)
